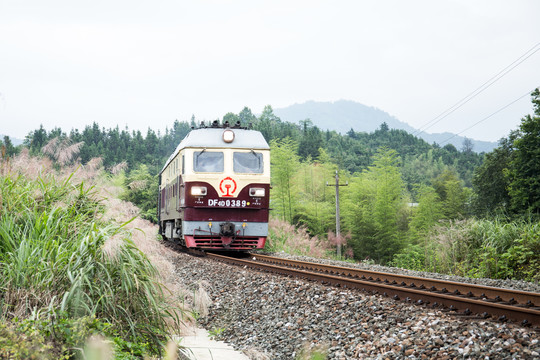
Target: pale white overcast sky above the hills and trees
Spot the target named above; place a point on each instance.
(146, 63)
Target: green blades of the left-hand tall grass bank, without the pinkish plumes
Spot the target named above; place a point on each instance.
(53, 262)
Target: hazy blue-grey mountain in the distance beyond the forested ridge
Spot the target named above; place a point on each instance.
(343, 115)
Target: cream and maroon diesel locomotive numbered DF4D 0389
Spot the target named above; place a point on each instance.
(214, 189)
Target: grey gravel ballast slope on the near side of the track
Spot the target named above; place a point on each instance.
(281, 317)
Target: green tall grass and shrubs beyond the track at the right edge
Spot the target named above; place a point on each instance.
(492, 248)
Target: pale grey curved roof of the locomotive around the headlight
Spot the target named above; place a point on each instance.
(212, 138)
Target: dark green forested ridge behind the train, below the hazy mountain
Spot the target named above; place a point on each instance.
(352, 151)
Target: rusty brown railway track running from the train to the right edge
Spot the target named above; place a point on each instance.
(466, 300)
